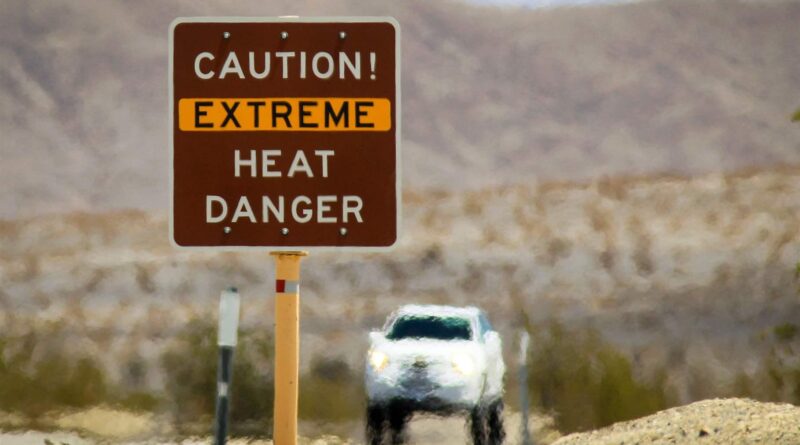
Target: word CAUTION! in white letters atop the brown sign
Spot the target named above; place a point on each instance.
(262, 65)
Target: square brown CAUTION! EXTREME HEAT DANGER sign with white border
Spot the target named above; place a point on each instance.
(285, 132)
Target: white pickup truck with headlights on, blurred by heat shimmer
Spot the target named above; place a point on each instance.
(436, 359)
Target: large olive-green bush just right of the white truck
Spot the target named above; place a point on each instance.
(585, 382)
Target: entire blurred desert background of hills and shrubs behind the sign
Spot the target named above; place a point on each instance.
(622, 180)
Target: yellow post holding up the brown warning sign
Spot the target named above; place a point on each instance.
(287, 345)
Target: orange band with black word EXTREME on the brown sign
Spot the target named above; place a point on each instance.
(285, 114)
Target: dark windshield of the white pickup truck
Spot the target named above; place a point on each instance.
(425, 326)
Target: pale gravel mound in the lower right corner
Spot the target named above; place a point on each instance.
(715, 421)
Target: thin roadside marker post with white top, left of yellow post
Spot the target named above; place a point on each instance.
(226, 339)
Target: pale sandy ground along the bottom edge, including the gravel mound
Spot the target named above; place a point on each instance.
(716, 421)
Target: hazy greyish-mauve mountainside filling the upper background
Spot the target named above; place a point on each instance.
(490, 95)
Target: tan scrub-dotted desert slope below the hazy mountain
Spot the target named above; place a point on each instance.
(684, 274)
